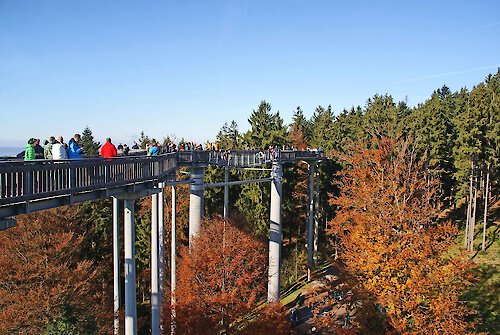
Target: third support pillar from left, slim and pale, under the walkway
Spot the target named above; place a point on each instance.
(155, 304)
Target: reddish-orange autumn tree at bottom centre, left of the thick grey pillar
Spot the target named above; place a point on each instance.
(220, 281)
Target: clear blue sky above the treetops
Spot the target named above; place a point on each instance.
(187, 67)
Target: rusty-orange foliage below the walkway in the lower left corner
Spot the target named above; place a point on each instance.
(42, 277)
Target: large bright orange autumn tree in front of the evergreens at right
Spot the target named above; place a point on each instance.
(393, 246)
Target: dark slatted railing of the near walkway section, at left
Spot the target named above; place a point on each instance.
(22, 181)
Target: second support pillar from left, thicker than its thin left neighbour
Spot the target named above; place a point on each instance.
(130, 288)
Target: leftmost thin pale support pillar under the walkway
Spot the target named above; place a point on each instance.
(116, 267)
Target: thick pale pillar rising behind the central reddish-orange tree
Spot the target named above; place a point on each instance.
(195, 202)
